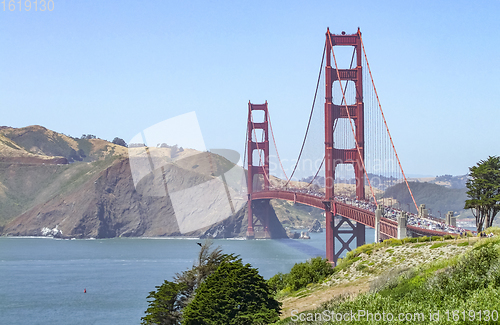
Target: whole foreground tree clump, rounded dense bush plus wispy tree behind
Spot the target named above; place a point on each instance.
(219, 289)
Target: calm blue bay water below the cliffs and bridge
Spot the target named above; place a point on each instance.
(42, 280)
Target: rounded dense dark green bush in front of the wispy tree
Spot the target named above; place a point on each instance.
(233, 294)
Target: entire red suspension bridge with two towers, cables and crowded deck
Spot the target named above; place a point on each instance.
(356, 140)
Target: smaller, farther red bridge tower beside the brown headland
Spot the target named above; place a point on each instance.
(258, 167)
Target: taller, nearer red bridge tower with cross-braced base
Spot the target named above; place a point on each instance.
(334, 156)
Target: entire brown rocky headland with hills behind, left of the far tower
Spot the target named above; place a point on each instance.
(55, 185)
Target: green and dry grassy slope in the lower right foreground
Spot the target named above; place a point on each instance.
(443, 279)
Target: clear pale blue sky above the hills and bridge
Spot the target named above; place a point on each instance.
(114, 68)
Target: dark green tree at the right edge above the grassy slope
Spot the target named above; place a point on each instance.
(484, 191)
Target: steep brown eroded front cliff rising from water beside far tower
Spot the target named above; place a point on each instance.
(109, 205)
